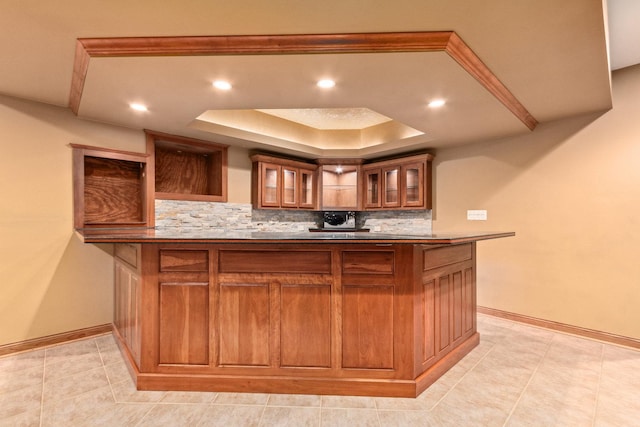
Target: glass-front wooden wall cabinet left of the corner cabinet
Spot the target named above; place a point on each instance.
(282, 183)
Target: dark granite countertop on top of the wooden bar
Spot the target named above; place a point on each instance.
(135, 235)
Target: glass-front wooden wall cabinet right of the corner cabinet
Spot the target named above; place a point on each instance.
(403, 183)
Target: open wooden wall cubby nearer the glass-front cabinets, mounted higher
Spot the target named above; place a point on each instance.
(186, 168)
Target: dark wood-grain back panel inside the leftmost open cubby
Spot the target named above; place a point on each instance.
(112, 191)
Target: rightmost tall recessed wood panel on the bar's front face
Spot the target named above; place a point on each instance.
(367, 327)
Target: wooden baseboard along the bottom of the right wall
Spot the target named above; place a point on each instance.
(563, 327)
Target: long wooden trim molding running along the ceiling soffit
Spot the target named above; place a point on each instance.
(294, 44)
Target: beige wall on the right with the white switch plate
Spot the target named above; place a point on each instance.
(571, 192)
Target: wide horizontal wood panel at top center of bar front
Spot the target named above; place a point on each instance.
(284, 261)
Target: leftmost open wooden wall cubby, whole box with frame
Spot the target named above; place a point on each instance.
(109, 188)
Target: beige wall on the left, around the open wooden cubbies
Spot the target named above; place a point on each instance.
(51, 281)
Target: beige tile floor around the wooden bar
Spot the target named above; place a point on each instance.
(517, 376)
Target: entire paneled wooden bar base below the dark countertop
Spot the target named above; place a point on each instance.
(319, 318)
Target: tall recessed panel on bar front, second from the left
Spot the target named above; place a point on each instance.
(244, 324)
